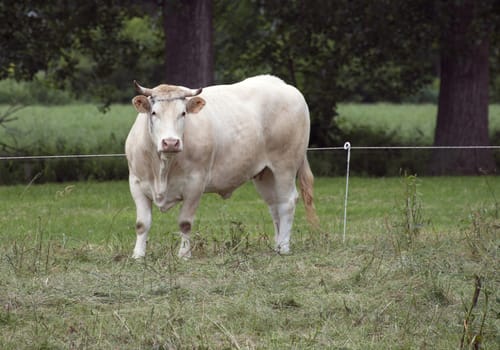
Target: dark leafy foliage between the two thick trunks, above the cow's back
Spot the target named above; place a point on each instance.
(332, 51)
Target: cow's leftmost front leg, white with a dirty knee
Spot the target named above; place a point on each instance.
(143, 219)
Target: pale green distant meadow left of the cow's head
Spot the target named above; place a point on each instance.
(69, 128)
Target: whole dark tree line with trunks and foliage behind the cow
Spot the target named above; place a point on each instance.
(332, 50)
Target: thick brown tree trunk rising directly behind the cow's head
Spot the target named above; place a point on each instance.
(188, 45)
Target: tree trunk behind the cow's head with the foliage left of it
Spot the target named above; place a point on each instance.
(91, 48)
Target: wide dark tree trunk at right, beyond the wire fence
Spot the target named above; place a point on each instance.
(462, 118)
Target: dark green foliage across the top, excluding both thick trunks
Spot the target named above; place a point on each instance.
(360, 51)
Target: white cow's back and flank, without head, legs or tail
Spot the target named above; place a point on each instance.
(257, 123)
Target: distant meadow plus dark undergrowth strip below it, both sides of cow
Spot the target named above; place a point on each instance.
(82, 129)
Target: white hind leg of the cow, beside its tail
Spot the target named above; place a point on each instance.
(281, 195)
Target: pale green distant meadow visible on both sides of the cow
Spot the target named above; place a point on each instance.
(80, 127)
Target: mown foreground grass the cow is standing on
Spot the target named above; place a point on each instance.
(403, 279)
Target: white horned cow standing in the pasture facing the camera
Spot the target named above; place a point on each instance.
(186, 142)
